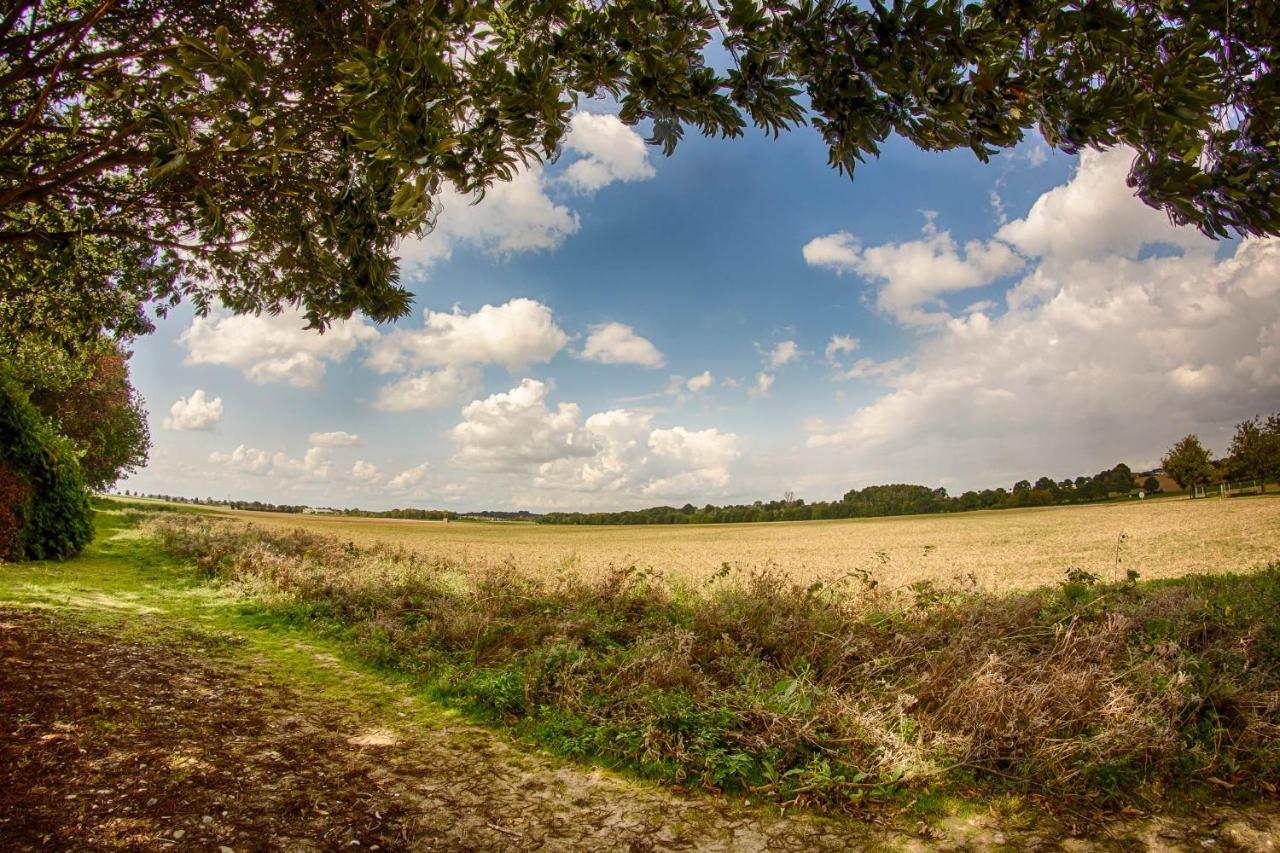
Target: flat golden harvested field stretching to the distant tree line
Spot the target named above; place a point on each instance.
(1007, 549)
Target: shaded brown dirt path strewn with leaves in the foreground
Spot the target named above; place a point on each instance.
(115, 745)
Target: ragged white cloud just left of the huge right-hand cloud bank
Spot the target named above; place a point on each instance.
(915, 276)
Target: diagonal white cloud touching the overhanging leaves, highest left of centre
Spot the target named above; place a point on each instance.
(520, 216)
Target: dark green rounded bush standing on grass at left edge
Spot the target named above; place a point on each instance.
(44, 507)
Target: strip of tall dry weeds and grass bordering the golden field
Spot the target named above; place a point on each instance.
(834, 694)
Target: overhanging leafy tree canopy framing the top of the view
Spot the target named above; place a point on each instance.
(276, 153)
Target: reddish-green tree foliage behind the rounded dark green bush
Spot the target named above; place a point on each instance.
(88, 398)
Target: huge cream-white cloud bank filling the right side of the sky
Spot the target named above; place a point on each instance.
(1104, 350)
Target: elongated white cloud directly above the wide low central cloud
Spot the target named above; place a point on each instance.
(514, 335)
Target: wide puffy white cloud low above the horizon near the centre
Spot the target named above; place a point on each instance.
(619, 451)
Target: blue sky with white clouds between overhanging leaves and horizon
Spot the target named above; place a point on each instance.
(624, 330)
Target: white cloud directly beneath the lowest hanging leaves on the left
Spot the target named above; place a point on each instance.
(273, 349)
